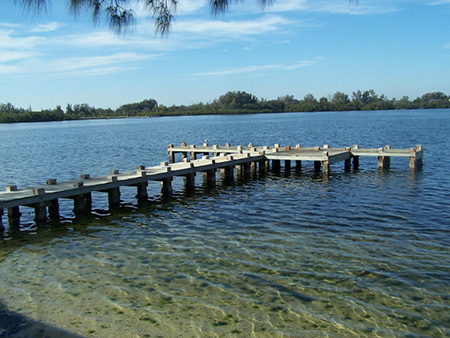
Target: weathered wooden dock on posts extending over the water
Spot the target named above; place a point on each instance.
(242, 160)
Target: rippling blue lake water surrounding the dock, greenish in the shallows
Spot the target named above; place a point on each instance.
(358, 254)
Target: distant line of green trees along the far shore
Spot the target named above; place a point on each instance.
(236, 102)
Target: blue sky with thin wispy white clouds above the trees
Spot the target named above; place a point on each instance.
(295, 47)
